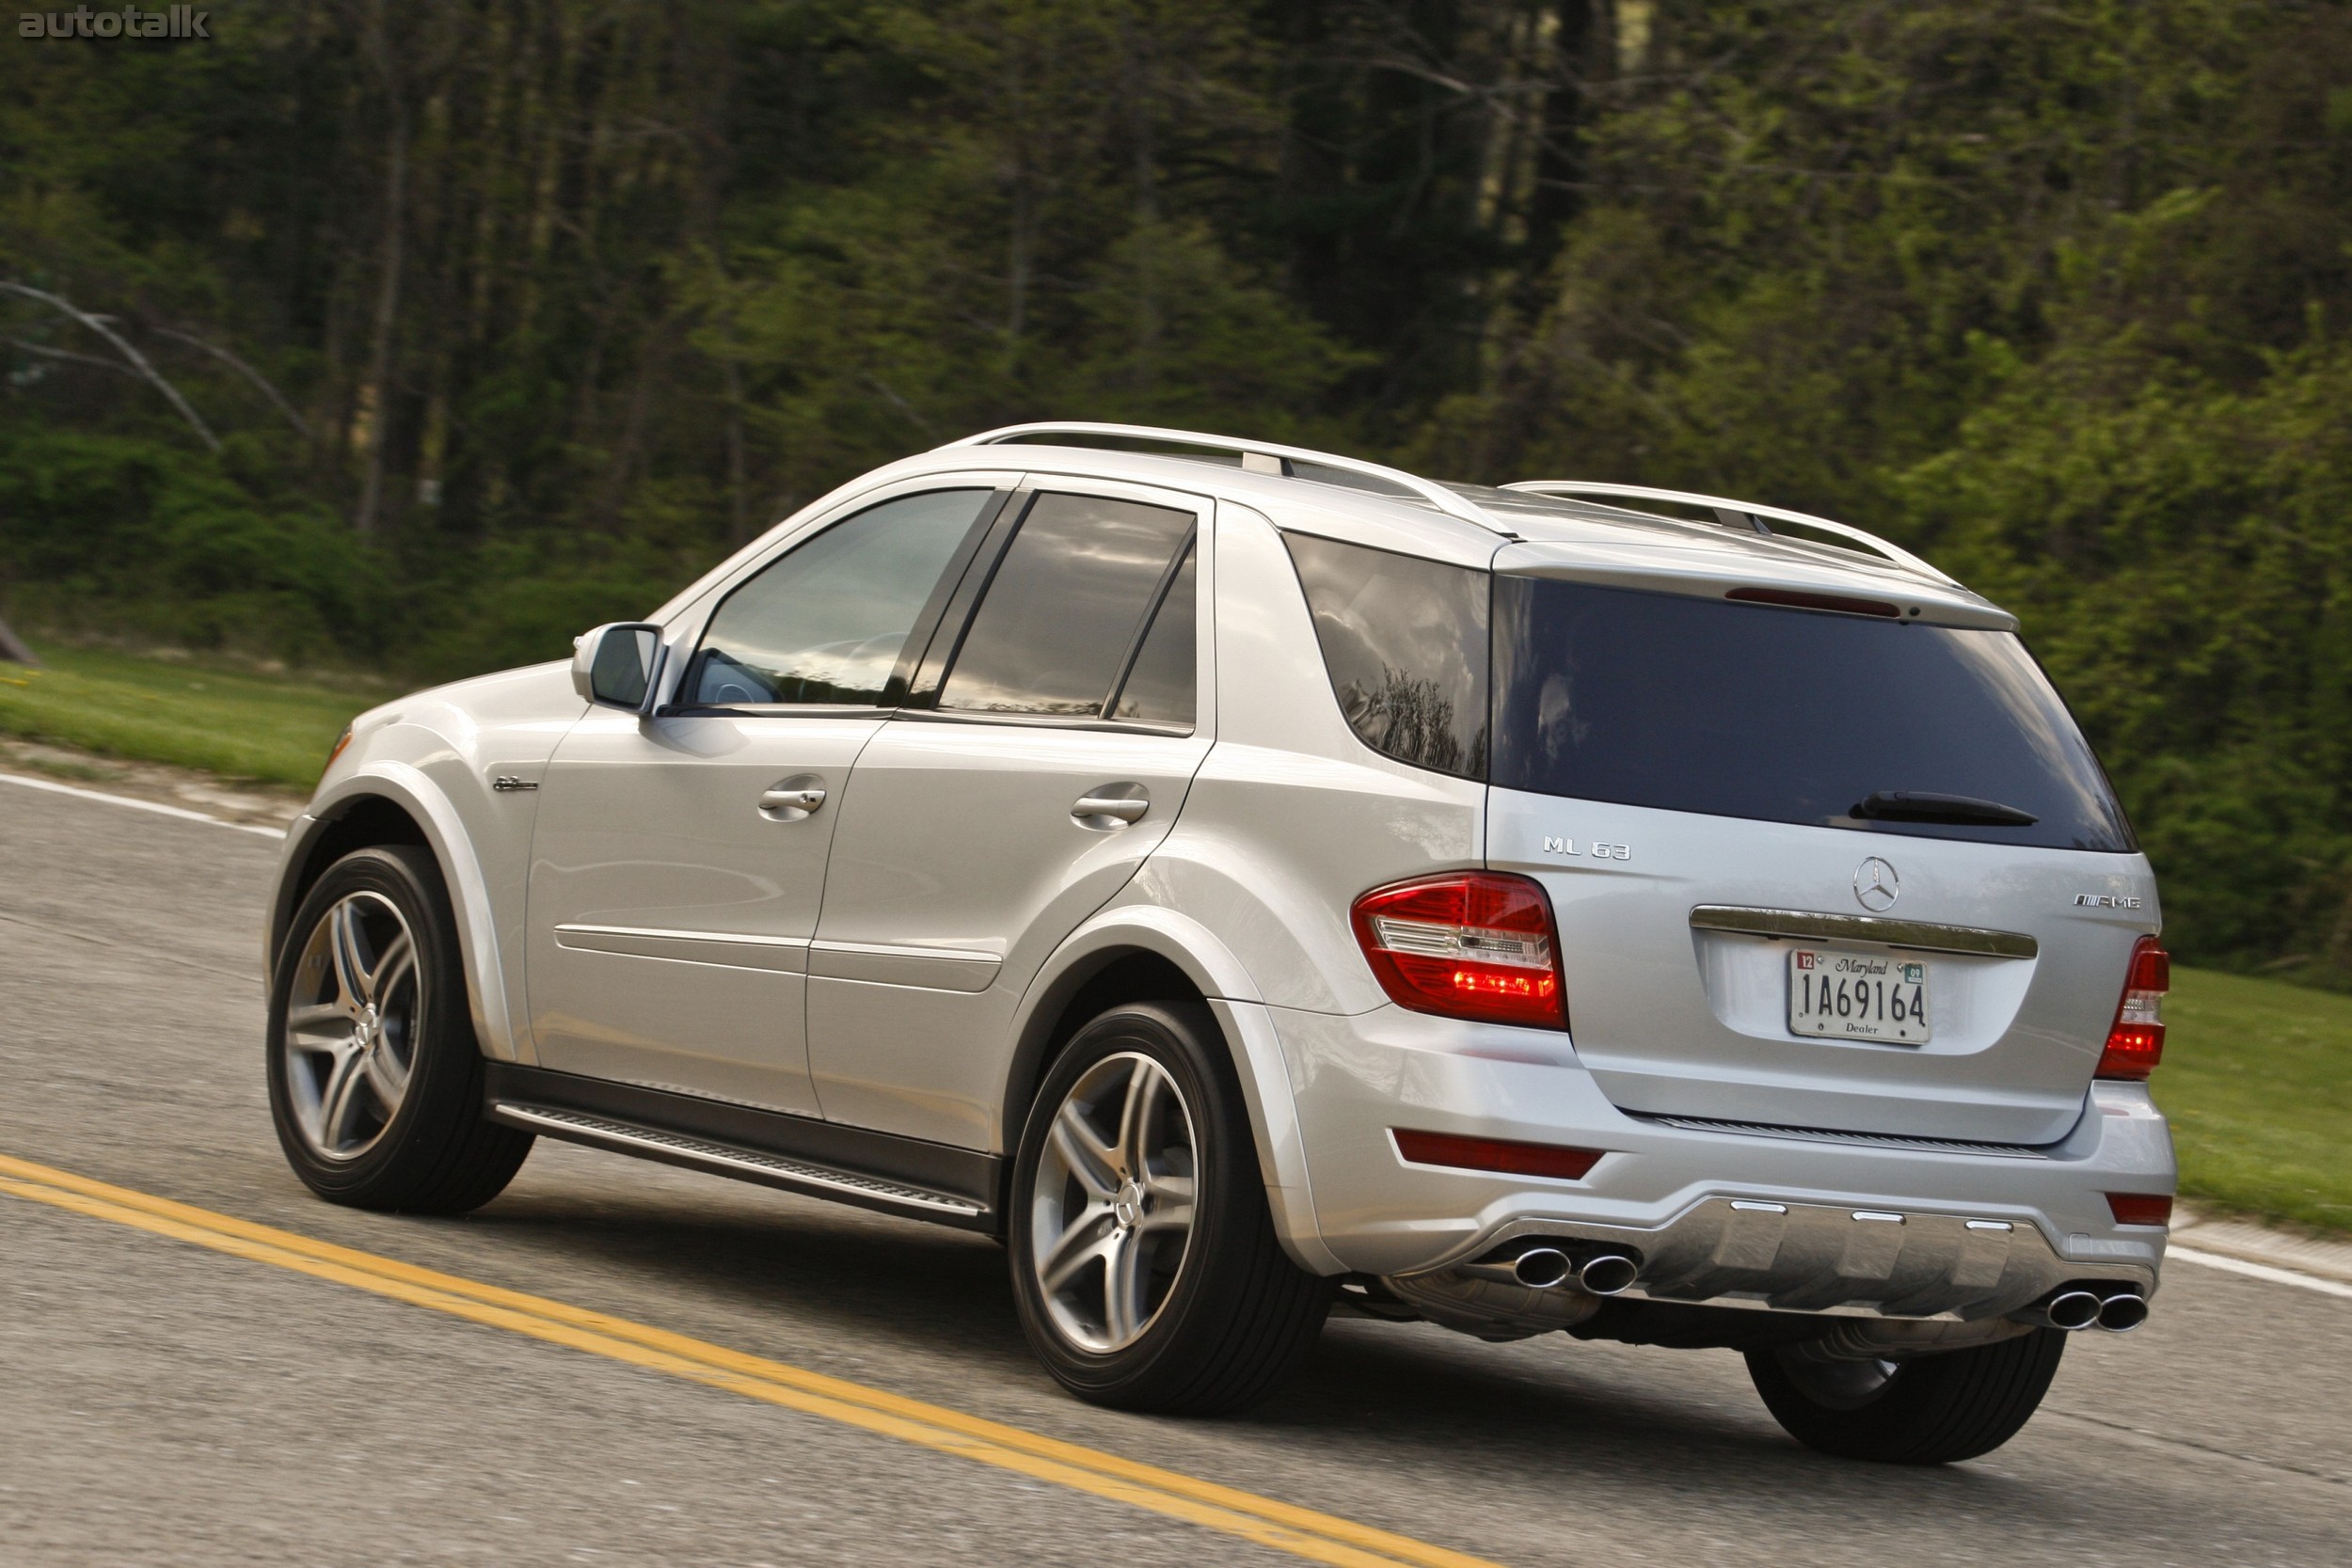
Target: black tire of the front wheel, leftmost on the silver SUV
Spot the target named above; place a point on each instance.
(434, 1153)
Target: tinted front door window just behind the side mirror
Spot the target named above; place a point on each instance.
(827, 622)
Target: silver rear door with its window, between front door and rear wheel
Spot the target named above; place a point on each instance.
(1034, 768)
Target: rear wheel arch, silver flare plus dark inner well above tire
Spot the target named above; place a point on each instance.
(1147, 953)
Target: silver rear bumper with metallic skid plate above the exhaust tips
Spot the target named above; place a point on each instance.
(1669, 1191)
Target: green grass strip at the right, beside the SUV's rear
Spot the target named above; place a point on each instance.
(2259, 1085)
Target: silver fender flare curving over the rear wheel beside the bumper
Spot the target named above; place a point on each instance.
(1250, 1036)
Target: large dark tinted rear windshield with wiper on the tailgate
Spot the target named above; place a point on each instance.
(1786, 716)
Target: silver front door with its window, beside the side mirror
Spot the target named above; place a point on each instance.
(681, 859)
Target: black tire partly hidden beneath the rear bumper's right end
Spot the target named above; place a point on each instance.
(1925, 1412)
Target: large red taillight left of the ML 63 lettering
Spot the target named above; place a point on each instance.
(1466, 946)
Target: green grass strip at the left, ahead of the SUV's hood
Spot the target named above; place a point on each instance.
(236, 723)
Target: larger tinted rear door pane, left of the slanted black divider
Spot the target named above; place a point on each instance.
(1064, 608)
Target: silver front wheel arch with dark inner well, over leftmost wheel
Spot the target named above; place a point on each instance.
(392, 803)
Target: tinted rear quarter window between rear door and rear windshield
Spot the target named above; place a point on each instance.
(1405, 645)
